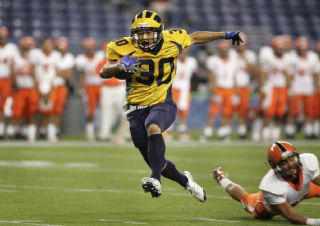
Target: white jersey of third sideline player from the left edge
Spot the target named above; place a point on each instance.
(45, 68)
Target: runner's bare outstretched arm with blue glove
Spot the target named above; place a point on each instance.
(200, 37)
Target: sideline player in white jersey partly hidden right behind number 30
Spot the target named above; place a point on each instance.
(187, 66)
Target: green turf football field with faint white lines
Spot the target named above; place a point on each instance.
(78, 183)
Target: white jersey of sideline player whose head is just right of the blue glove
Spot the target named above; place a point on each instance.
(242, 75)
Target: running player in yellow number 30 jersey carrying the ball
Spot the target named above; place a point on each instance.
(147, 60)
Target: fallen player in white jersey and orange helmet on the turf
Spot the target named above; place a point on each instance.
(291, 179)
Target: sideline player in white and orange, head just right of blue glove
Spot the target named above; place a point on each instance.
(246, 61)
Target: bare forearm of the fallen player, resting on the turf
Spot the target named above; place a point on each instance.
(288, 212)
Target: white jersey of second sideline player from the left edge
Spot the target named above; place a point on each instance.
(23, 70)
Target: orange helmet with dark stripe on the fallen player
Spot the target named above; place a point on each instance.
(279, 152)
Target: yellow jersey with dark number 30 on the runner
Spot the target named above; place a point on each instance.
(152, 83)
